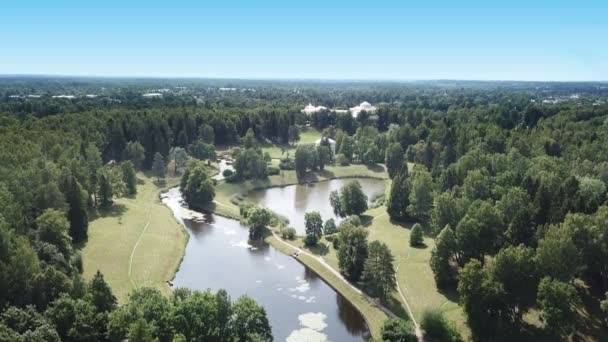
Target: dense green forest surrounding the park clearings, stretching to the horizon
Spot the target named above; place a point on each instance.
(509, 177)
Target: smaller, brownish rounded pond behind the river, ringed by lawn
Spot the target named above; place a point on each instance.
(294, 201)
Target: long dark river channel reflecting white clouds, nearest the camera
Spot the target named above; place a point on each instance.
(300, 305)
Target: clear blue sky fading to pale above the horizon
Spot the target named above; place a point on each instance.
(393, 40)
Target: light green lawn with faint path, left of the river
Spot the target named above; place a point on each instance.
(137, 243)
